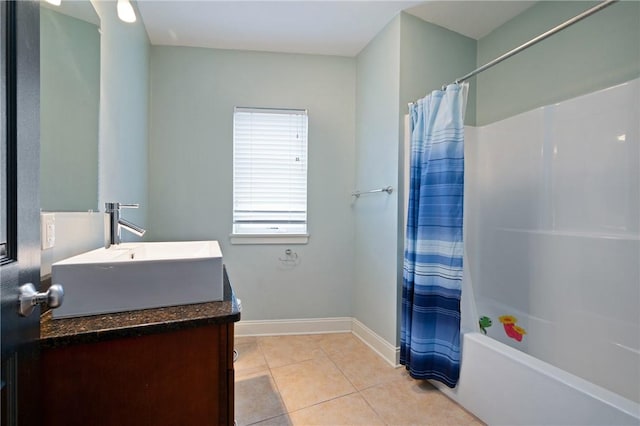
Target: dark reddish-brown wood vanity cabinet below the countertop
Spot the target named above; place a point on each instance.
(178, 377)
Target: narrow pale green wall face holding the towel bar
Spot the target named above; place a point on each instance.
(378, 82)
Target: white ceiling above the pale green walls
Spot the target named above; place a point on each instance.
(322, 27)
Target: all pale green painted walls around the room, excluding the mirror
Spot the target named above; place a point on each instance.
(181, 100)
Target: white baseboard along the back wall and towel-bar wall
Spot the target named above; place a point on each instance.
(386, 350)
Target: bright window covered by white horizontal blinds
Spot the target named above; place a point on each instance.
(269, 175)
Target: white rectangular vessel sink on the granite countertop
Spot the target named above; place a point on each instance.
(133, 276)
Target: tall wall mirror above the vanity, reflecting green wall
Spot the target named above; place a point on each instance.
(69, 106)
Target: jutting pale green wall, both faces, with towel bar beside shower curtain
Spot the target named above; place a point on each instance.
(407, 60)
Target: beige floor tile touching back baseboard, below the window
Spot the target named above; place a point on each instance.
(284, 350)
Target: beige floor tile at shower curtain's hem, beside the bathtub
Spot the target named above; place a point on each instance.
(409, 402)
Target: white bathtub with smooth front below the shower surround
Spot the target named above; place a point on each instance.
(503, 386)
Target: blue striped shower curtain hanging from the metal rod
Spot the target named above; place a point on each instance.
(432, 275)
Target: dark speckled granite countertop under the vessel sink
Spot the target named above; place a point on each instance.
(56, 332)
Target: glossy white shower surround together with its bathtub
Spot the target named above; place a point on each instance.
(552, 237)
